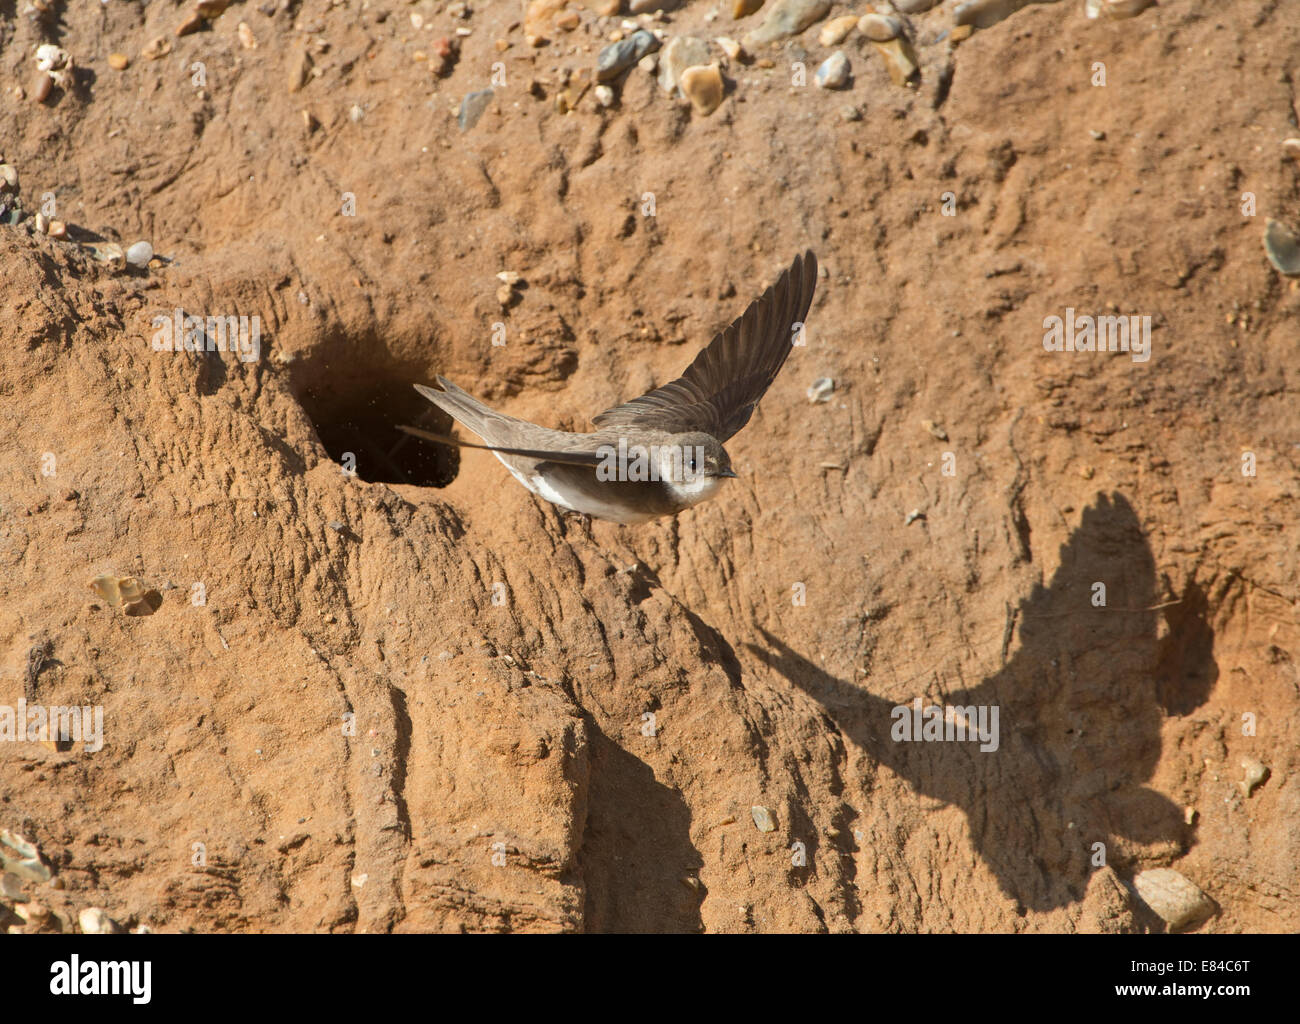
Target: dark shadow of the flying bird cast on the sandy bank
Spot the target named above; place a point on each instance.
(1080, 710)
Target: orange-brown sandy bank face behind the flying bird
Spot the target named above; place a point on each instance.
(500, 776)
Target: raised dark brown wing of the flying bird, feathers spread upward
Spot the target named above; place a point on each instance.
(722, 387)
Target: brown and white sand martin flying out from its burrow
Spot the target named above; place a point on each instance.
(660, 454)
